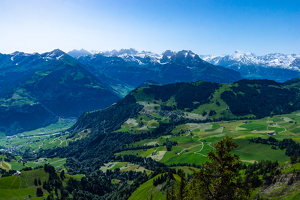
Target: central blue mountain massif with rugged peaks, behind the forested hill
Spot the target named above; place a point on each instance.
(133, 68)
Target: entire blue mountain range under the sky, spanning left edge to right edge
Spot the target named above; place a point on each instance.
(36, 89)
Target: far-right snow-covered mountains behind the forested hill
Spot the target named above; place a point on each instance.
(277, 66)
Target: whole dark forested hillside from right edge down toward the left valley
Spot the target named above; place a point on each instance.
(197, 98)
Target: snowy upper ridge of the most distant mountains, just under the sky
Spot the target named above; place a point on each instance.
(286, 61)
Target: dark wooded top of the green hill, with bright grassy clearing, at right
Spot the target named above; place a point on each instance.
(248, 98)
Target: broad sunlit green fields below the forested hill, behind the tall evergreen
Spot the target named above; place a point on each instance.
(199, 138)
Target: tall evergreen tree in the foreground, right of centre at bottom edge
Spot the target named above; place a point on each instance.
(216, 179)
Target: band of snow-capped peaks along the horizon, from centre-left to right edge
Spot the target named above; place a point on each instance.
(237, 58)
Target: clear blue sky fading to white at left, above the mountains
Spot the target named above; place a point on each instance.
(203, 26)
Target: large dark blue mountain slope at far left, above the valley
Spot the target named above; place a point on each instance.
(37, 88)
